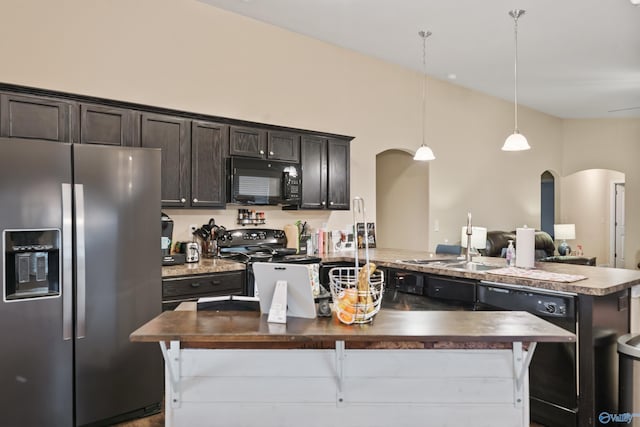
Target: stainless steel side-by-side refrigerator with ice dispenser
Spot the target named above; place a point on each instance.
(81, 270)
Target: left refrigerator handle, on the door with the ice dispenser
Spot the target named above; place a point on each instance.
(67, 263)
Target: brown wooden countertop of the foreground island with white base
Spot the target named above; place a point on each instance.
(388, 325)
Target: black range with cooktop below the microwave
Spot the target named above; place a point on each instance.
(259, 245)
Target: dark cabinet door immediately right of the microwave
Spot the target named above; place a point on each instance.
(313, 161)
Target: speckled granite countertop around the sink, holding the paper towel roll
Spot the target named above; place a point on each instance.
(599, 280)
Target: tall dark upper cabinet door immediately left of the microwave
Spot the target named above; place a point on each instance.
(208, 183)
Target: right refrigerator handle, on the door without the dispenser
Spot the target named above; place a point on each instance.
(80, 263)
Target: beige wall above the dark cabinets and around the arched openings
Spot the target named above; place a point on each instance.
(190, 56)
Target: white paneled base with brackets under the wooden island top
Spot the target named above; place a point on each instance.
(308, 387)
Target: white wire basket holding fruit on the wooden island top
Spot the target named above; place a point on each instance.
(356, 294)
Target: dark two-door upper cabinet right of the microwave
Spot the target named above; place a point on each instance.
(325, 173)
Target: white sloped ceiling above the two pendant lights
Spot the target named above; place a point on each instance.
(576, 58)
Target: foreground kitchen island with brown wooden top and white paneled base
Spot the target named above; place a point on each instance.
(405, 368)
